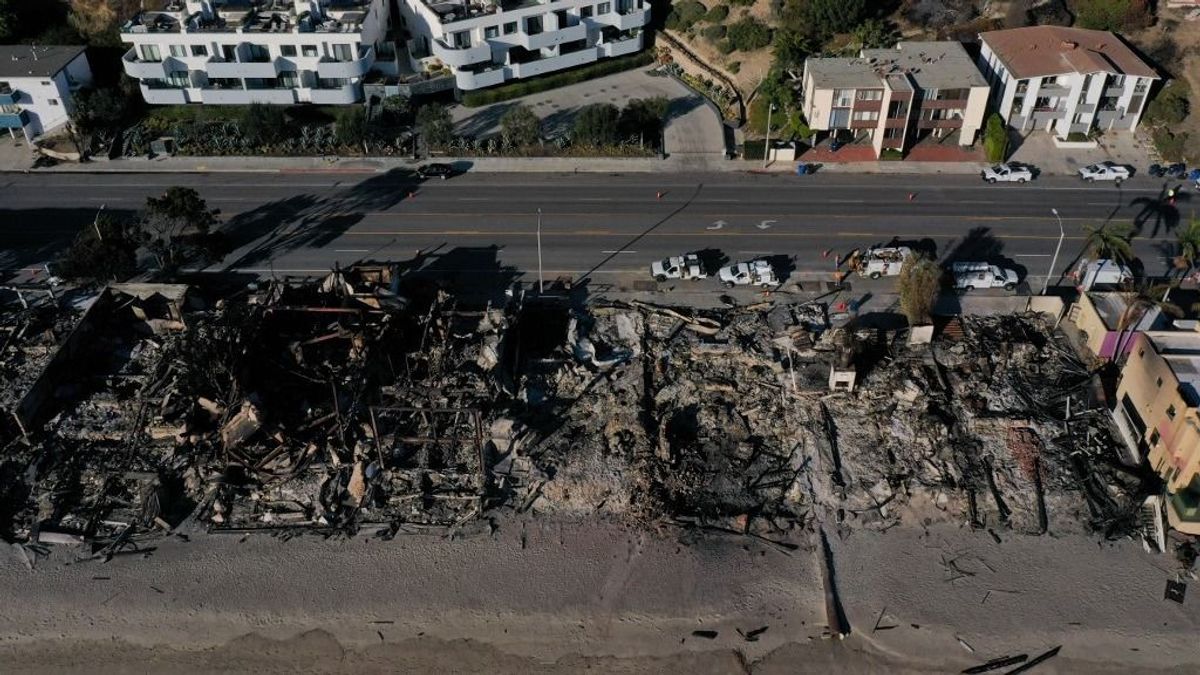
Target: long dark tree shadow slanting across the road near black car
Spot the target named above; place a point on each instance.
(307, 222)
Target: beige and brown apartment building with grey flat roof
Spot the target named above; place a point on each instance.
(898, 97)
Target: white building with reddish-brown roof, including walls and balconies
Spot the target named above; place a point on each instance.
(1065, 80)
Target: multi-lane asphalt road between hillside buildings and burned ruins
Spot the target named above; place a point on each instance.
(597, 225)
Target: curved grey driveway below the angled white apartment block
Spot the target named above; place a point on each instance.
(694, 134)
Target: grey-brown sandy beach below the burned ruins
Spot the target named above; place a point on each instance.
(560, 596)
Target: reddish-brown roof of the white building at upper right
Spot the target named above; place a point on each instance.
(1049, 50)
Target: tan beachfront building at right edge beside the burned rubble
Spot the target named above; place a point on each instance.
(1159, 403)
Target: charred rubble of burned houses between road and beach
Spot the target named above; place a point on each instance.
(365, 401)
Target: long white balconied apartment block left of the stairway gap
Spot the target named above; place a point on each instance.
(237, 52)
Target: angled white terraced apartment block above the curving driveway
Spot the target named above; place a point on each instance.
(487, 43)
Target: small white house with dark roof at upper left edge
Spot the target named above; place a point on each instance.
(38, 87)
